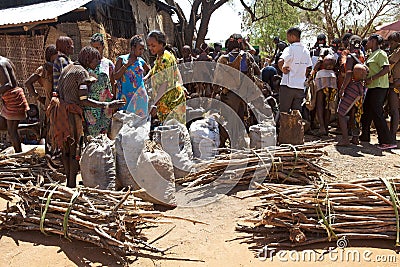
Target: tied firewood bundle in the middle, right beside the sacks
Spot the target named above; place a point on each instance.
(283, 164)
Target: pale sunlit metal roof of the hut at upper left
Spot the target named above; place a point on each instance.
(38, 12)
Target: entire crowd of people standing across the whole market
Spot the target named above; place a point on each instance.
(348, 80)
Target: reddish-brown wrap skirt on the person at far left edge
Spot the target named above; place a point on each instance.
(15, 105)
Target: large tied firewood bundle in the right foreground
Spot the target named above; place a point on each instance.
(295, 215)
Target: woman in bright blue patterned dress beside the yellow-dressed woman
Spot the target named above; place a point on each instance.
(129, 72)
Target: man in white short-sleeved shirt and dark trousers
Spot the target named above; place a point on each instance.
(295, 63)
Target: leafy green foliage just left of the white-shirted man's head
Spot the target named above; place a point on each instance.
(278, 16)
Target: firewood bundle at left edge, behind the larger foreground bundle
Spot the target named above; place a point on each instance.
(21, 168)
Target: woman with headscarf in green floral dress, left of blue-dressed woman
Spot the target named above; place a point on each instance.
(98, 120)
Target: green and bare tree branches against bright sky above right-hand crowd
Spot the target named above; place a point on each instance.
(332, 17)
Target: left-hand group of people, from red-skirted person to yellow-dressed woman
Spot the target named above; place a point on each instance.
(81, 97)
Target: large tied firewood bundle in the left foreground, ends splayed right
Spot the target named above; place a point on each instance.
(109, 219)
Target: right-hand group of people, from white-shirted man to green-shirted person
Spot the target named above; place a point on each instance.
(351, 78)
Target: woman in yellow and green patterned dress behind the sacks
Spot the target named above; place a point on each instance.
(168, 93)
